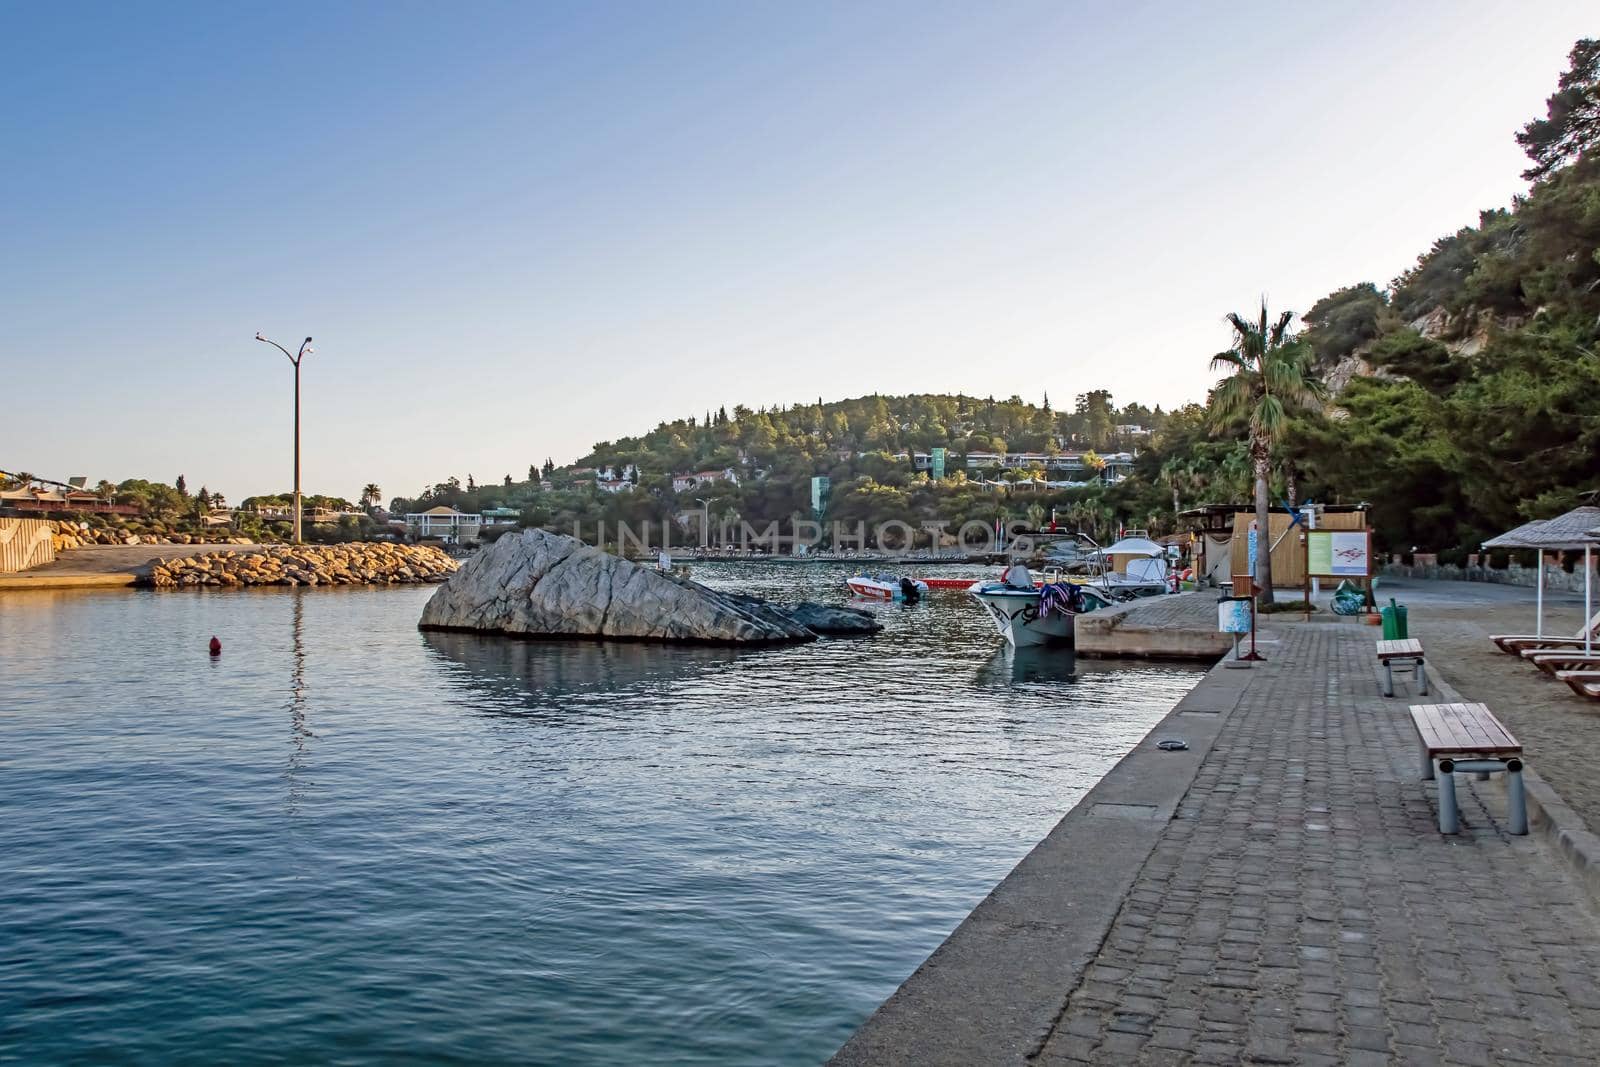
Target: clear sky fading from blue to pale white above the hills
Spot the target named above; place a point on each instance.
(521, 230)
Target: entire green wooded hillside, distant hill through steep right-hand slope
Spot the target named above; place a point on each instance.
(1463, 399)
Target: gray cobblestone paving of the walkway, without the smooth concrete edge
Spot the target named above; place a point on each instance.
(1303, 908)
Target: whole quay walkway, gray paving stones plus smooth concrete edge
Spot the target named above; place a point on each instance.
(1278, 893)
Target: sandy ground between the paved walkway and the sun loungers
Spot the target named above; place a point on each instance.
(1559, 729)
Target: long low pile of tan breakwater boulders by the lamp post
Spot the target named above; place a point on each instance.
(362, 564)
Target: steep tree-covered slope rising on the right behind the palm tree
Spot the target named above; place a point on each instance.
(1471, 386)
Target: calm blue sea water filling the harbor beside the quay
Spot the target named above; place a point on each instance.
(350, 842)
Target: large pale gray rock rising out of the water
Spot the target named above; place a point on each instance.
(543, 585)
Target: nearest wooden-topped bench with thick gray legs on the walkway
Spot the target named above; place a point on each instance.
(1468, 738)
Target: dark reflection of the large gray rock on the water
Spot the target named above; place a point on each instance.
(535, 676)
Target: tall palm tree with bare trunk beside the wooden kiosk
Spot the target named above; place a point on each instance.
(1271, 378)
